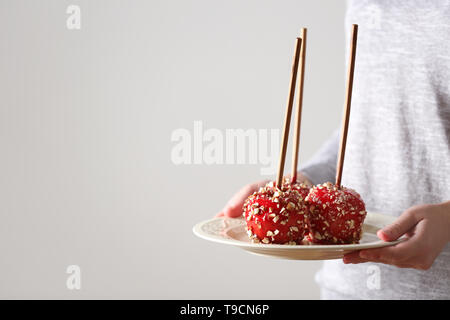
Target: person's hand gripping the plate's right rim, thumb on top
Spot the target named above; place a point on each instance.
(427, 231)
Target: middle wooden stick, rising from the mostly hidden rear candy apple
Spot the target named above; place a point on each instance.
(299, 103)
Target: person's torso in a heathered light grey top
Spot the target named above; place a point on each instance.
(398, 148)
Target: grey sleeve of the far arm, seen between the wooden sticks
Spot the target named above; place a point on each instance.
(321, 167)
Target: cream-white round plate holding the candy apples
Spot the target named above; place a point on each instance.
(233, 232)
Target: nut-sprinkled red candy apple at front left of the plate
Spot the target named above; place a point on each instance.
(276, 215)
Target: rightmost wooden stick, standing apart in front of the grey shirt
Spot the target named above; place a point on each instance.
(348, 102)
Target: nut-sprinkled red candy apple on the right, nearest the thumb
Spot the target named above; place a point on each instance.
(336, 215)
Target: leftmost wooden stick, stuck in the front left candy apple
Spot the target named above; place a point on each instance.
(287, 118)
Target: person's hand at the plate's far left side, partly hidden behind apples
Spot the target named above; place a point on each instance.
(233, 208)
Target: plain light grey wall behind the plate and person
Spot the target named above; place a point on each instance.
(85, 123)
